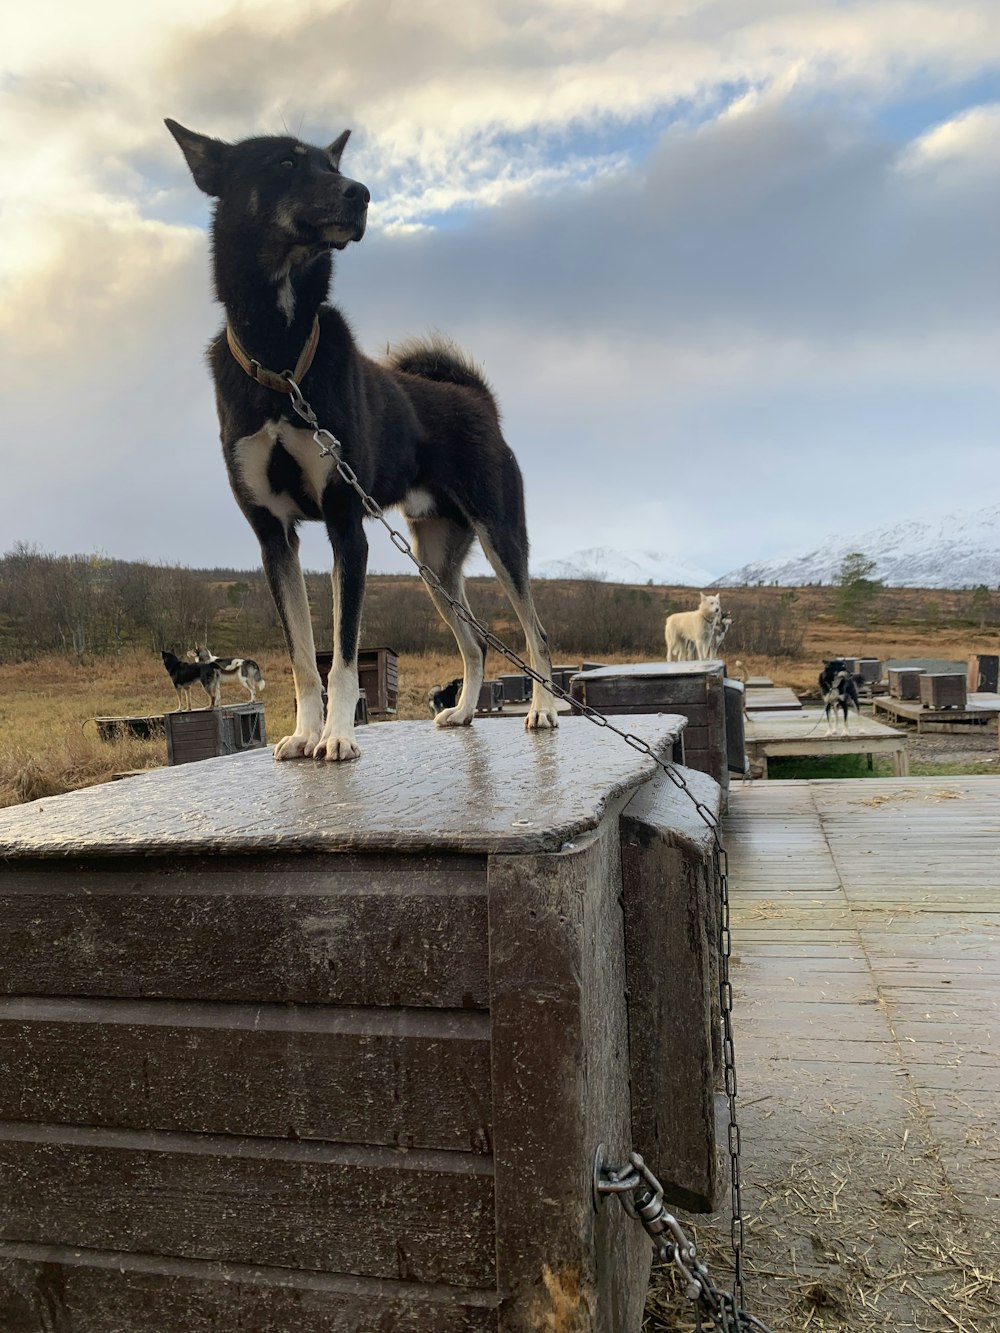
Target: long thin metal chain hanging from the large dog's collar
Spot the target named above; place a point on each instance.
(331, 449)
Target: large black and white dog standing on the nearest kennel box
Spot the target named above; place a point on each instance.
(421, 431)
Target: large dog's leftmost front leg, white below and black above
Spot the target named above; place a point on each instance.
(279, 550)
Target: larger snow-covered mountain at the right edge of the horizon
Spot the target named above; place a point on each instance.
(958, 550)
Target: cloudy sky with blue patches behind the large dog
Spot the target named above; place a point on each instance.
(733, 266)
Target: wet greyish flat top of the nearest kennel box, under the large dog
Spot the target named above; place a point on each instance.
(421, 790)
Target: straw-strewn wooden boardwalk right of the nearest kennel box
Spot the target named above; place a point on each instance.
(867, 979)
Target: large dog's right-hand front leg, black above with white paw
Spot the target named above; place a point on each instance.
(350, 567)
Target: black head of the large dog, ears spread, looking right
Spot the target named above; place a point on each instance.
(291, 195)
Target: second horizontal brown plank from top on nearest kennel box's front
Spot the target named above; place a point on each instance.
(366, 1076)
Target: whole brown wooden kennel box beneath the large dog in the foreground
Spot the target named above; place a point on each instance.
(333, 1048)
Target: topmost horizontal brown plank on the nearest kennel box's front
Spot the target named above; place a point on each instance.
(250, 930)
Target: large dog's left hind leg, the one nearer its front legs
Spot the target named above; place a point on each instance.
(443, 545)
